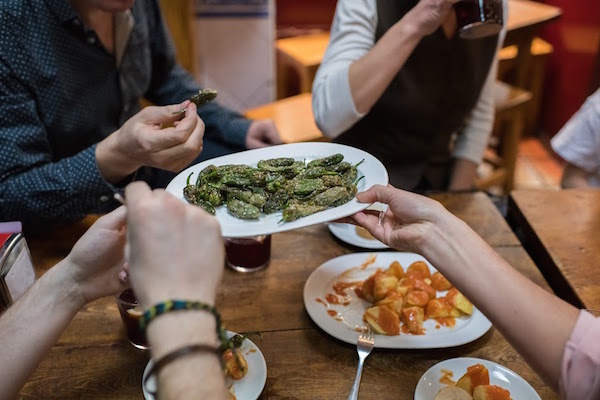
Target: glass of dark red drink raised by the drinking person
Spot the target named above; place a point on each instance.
(478, 18)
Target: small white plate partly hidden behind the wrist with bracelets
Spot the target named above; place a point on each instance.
(247, 388)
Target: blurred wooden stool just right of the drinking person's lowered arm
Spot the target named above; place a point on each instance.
(511, 103)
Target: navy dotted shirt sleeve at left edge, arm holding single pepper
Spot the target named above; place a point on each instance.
(34, 188)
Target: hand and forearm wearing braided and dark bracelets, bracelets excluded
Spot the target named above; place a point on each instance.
(176, 228)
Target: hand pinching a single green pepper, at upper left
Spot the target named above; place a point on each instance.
(143, 141)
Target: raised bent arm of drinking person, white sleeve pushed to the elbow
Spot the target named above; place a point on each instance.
(345, 86)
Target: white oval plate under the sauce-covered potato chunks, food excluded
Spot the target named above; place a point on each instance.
(346, 320)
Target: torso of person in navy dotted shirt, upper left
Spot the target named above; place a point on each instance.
(78, 92)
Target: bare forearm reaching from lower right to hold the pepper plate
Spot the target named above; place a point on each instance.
(537, 323)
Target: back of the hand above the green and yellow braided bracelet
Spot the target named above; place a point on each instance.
(175, 250)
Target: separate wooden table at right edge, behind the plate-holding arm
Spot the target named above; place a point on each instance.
(561, 231)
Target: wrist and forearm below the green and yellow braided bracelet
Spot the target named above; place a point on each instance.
(194, 376)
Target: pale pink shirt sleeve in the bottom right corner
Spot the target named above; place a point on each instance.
(580, 370)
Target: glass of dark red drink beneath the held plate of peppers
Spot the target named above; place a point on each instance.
(248, 254)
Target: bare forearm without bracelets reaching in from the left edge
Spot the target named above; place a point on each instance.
(31, 326)
